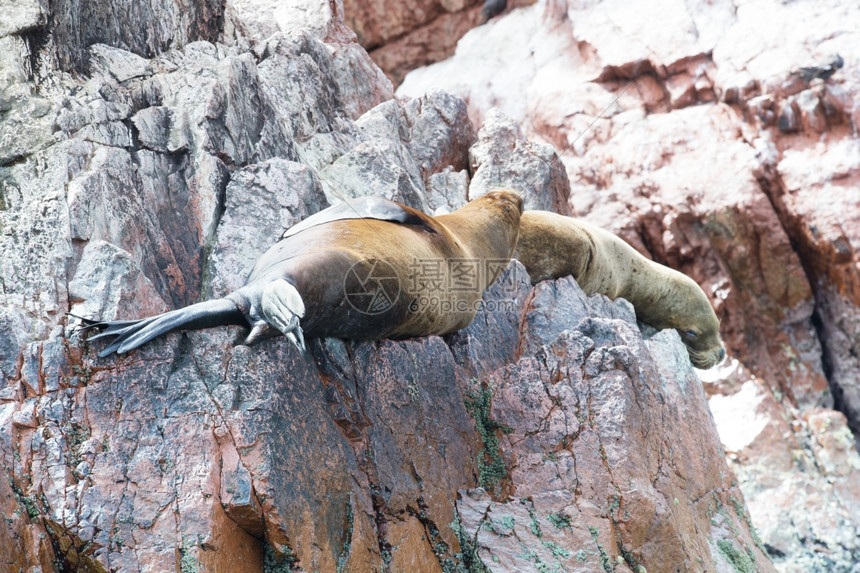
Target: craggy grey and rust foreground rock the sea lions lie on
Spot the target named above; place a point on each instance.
(147, 157)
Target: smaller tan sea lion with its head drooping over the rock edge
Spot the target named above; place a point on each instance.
(551, 246)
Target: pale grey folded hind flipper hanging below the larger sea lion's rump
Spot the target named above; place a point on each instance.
(281, 307)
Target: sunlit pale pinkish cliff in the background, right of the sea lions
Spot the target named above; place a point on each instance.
(721, 139)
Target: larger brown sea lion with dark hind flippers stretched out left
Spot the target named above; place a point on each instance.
(363, 270)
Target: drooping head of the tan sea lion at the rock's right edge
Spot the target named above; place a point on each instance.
(698, 325)
